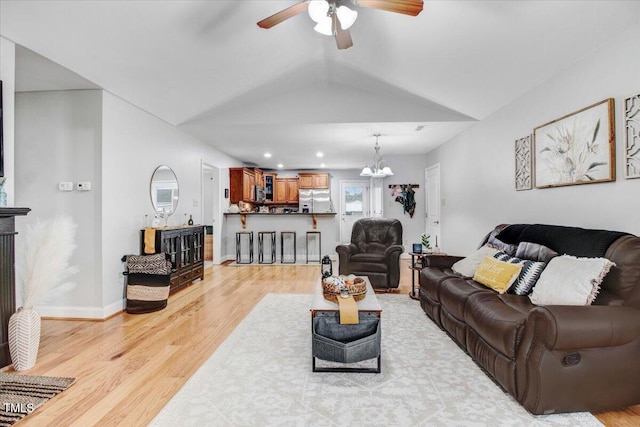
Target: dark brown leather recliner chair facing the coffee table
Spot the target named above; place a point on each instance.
(374, 251)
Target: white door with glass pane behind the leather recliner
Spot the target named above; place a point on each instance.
(354, 204)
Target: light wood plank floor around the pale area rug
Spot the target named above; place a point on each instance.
(129, 366)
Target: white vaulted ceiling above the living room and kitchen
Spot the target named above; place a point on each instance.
(206, 67)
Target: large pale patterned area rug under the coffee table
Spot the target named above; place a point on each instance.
(261, 375)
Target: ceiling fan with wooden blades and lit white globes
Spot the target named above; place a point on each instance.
(333, 18)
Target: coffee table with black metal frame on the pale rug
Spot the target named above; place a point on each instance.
(369, 304)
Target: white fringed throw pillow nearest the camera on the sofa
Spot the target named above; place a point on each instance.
(568, 280)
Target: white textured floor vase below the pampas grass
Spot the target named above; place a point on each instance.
(24, 338)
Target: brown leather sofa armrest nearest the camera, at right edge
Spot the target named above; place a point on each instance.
(576, 327)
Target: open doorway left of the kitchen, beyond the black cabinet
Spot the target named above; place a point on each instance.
(210, 186)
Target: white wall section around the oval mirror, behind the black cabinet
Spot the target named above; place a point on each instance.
(134, 143)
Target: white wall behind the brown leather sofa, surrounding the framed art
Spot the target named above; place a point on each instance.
(478, 165)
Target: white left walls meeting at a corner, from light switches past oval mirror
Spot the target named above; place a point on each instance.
(94, 136)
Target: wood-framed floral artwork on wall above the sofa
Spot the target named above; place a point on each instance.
(578, 148)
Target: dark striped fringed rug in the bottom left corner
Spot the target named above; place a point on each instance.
(22, 394)
